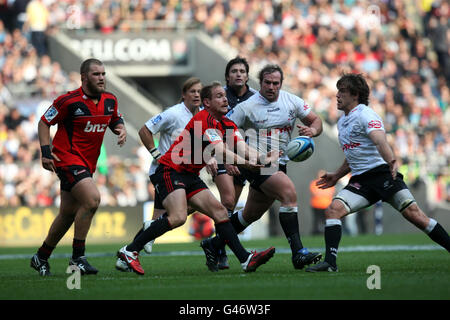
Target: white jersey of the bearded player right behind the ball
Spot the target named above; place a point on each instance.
(271, 122)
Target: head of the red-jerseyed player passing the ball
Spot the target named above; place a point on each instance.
(214, 99)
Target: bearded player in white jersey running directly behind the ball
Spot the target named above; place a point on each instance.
(271, 114)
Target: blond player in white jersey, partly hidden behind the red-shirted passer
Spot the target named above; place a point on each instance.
(169, 125)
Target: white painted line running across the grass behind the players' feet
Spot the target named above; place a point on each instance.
(366, 248)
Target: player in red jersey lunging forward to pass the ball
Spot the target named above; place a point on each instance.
(178, 184)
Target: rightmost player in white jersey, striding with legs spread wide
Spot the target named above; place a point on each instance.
(373, 166)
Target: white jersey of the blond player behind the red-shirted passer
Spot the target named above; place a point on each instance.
(169, 123)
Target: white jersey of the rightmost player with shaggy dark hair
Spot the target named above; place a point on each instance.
(354, 128)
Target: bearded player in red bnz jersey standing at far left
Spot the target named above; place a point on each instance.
(82, 115)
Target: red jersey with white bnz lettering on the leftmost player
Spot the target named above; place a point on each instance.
(81, 126)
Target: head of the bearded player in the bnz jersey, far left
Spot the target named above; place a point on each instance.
(93, 79)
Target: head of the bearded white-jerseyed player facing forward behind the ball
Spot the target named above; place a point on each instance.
(270, 81)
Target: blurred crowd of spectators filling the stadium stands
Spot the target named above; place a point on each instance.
(401, 46)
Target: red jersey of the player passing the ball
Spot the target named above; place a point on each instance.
(186, 153)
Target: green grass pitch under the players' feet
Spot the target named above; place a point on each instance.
(404, 274)
